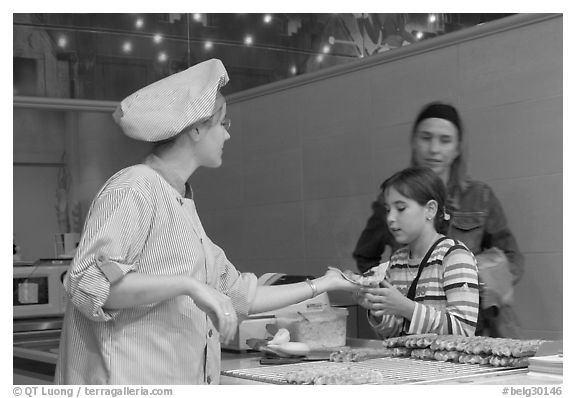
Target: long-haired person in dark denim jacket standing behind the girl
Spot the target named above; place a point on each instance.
(477, 217)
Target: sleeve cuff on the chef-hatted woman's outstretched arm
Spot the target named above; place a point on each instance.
(239, 286)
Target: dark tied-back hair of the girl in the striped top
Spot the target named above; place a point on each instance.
(421, 184)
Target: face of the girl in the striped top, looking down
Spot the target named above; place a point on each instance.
(406, 218)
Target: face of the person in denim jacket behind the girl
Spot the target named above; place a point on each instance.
(435, 145)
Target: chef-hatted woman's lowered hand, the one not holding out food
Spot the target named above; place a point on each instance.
(217, 306)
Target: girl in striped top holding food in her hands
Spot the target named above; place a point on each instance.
(431, 285)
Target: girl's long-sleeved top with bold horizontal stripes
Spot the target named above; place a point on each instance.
(446, 297)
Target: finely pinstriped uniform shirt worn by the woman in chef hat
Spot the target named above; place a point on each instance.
(140, 223)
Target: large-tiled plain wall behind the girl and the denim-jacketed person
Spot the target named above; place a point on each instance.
(305, 162)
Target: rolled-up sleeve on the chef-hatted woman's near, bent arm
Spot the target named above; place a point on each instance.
(114, 235)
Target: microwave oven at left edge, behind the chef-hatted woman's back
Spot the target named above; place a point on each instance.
(38, 289)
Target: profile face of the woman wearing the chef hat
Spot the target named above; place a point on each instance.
(213, 135)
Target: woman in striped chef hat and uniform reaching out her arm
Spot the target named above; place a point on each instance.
(151, 296)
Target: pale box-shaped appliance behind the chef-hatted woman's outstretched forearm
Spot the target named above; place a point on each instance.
(254, 327)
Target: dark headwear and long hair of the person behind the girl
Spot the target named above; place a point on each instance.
(440, 110)
